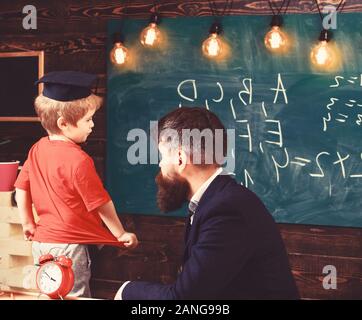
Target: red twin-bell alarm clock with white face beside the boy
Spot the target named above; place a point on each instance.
(55, 276)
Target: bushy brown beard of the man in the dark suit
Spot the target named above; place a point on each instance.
(172, 192)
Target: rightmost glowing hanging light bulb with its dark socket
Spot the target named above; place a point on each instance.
(323, 55)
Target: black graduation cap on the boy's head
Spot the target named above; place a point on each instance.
(67, 85)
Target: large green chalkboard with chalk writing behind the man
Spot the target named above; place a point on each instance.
(300, 152)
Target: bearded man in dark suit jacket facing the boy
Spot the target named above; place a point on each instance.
(233, 248)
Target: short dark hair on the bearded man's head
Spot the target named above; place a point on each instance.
(186, 119)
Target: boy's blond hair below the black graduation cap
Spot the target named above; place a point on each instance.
(49, 110)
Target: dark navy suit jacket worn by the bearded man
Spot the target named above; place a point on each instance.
(233, 250)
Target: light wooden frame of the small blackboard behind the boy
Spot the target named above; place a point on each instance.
(40, 55)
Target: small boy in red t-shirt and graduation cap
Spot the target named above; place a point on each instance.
(61, 181)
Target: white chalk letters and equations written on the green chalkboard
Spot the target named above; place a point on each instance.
(285, 158)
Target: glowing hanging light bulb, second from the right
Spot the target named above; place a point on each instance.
(276, 40)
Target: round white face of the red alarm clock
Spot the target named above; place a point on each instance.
(49, 277)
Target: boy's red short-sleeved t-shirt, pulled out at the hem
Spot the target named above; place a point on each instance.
(66, 192)
